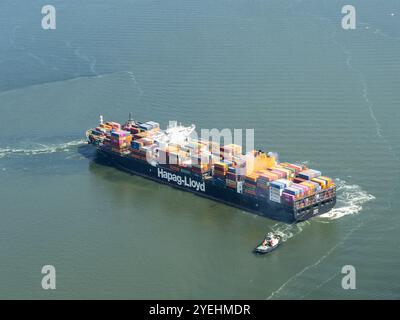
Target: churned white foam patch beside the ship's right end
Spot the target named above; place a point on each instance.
(350, 199)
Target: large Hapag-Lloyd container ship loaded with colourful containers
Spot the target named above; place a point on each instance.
(254, 181)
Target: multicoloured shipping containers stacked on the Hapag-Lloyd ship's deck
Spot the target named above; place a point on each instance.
(258, 173)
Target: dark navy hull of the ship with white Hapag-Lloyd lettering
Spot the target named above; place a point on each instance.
(206, 188)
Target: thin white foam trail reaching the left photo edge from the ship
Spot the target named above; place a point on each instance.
(43, 149)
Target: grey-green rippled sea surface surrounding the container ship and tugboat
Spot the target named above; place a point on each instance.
(312, 91)
